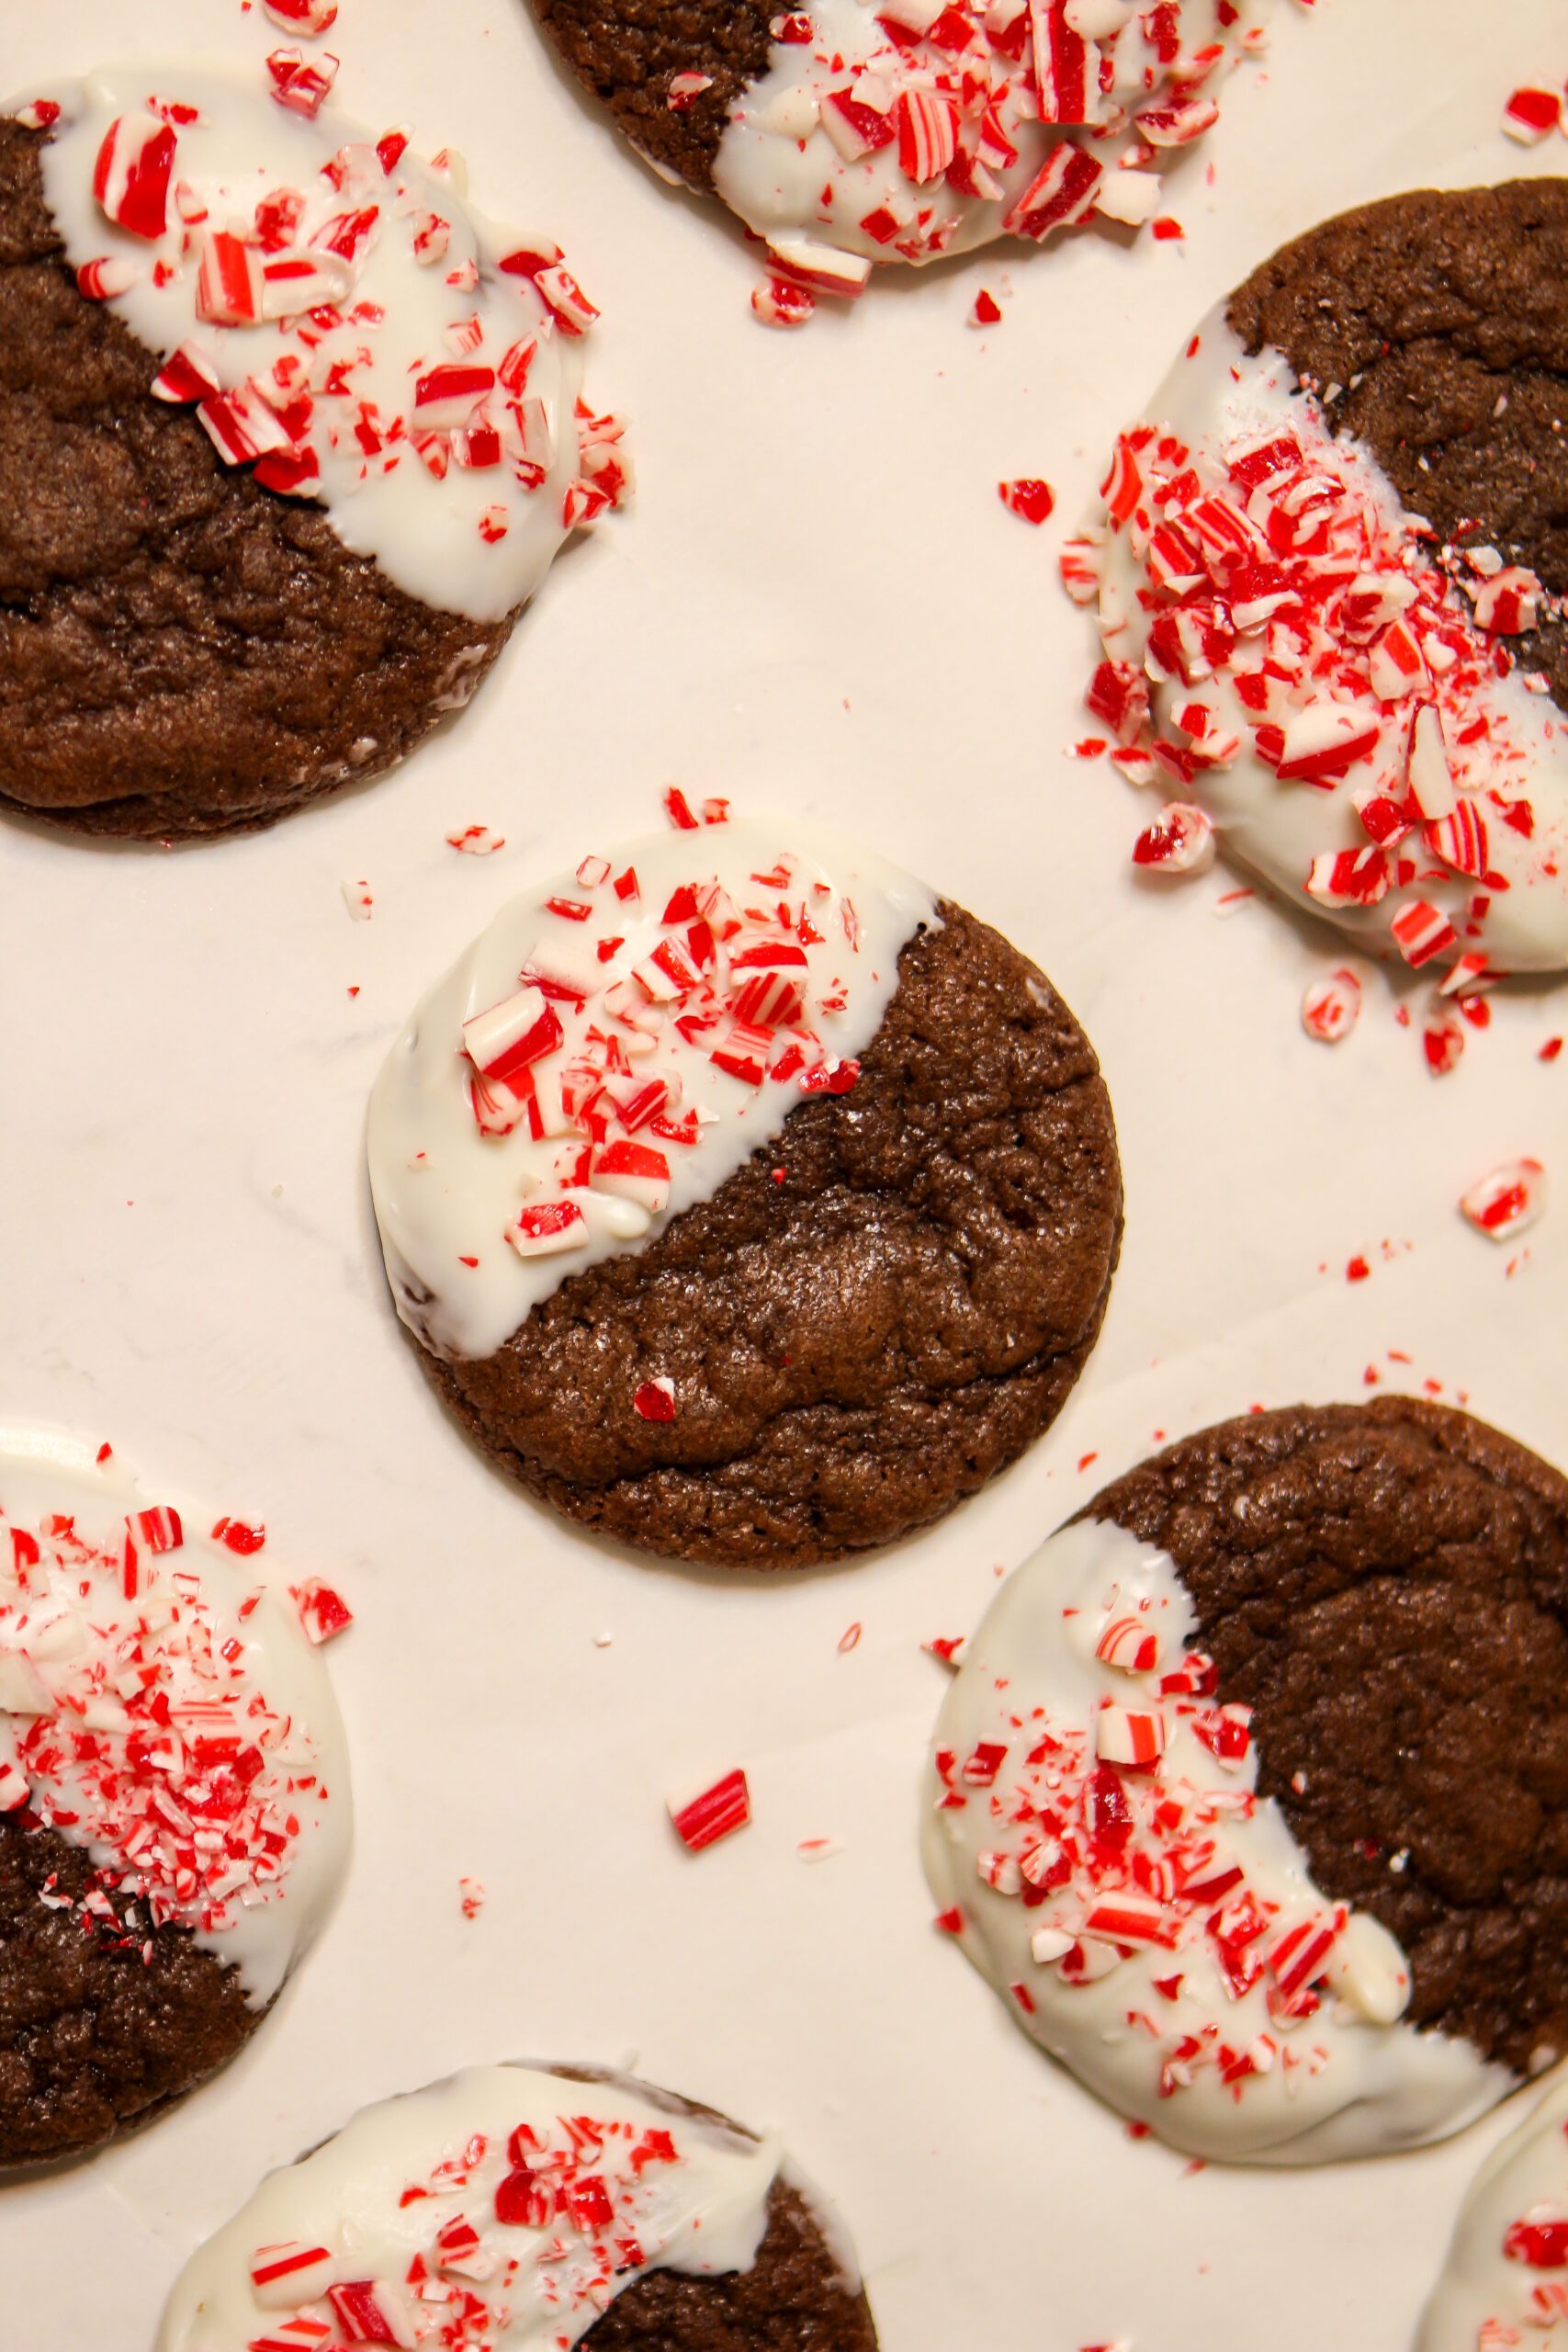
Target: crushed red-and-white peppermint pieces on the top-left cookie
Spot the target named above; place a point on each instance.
(293, 260)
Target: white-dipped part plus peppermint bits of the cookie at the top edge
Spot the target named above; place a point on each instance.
(930, 128)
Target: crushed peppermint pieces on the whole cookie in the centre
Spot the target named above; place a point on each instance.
(594, 1057)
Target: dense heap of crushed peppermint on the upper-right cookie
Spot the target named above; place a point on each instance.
(1358, 660)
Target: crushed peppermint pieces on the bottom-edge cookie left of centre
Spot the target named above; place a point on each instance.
(584, 2189)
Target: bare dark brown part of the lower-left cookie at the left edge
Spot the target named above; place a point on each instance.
(100, 2024)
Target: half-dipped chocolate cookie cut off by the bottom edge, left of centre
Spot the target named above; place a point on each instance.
(535, 2207)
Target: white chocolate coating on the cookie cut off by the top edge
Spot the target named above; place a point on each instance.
(789, 180)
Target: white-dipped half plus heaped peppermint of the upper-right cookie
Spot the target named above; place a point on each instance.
(1268, 610)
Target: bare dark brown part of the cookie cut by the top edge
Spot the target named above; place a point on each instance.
(629, 51)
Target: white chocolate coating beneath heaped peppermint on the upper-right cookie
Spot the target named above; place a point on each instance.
(1219, 403)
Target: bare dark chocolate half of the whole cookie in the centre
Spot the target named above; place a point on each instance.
(862, 1342)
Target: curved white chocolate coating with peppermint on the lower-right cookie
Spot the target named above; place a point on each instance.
(1226, 2059)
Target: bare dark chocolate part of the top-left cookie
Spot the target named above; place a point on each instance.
(182, 653)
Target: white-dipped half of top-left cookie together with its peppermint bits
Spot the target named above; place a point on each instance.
(337, 333)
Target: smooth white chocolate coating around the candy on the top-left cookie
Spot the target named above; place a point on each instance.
(429, 535)
